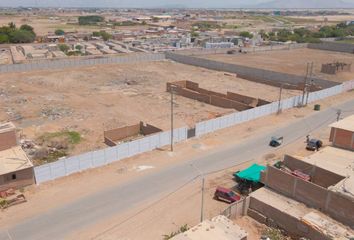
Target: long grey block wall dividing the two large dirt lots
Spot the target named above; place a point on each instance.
(249, 73)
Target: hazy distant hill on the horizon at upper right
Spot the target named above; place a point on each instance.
(305, 4)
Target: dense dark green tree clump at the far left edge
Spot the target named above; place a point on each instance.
(12, 34)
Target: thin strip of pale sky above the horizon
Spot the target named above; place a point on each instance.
(145, 3)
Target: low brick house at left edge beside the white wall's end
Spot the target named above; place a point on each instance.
(16, 169)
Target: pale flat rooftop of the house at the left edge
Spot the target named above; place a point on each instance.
(13, 159)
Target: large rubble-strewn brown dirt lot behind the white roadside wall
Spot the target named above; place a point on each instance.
(93, 99)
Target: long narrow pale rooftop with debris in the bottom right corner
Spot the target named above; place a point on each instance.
(298, 210)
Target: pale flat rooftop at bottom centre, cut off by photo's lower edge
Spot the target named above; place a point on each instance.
(218, 228)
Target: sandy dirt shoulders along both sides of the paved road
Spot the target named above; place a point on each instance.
(152, 219)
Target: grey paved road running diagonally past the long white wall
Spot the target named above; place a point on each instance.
(60, 222)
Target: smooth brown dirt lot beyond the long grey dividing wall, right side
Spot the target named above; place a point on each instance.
(291, 61)
